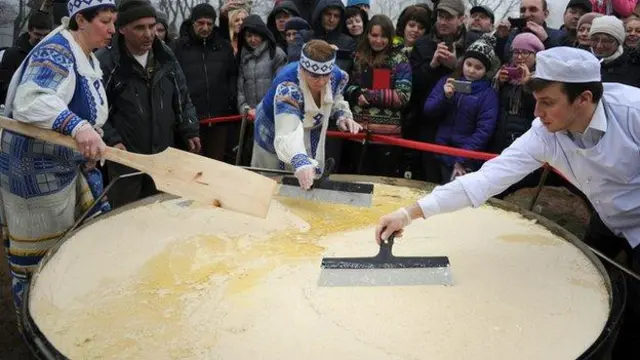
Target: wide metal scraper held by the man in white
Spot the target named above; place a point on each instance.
(385, 269)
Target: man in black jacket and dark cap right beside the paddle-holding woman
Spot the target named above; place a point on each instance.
(147, 96)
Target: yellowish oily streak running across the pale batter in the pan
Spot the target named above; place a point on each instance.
(186, 267)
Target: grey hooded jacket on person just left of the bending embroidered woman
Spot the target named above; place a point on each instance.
(257, 67)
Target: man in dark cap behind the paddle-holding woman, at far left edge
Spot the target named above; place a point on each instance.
(38, 27)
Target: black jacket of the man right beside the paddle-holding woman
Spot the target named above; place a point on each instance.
(146, 107)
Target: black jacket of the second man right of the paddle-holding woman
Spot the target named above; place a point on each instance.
(210, 69)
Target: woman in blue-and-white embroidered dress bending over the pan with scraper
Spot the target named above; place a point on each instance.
(292, 119)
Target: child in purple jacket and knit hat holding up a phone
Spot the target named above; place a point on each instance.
(469, 106)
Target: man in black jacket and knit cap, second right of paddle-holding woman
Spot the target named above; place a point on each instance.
(211, 71)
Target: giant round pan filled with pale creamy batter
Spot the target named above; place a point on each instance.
(167, 279)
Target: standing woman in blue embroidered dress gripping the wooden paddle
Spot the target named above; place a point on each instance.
(44, 187)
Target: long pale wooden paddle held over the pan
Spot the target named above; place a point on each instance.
(181, 173)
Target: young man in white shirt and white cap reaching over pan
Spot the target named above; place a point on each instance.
(590, 133)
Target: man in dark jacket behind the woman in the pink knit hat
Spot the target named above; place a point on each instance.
(535, 13)
